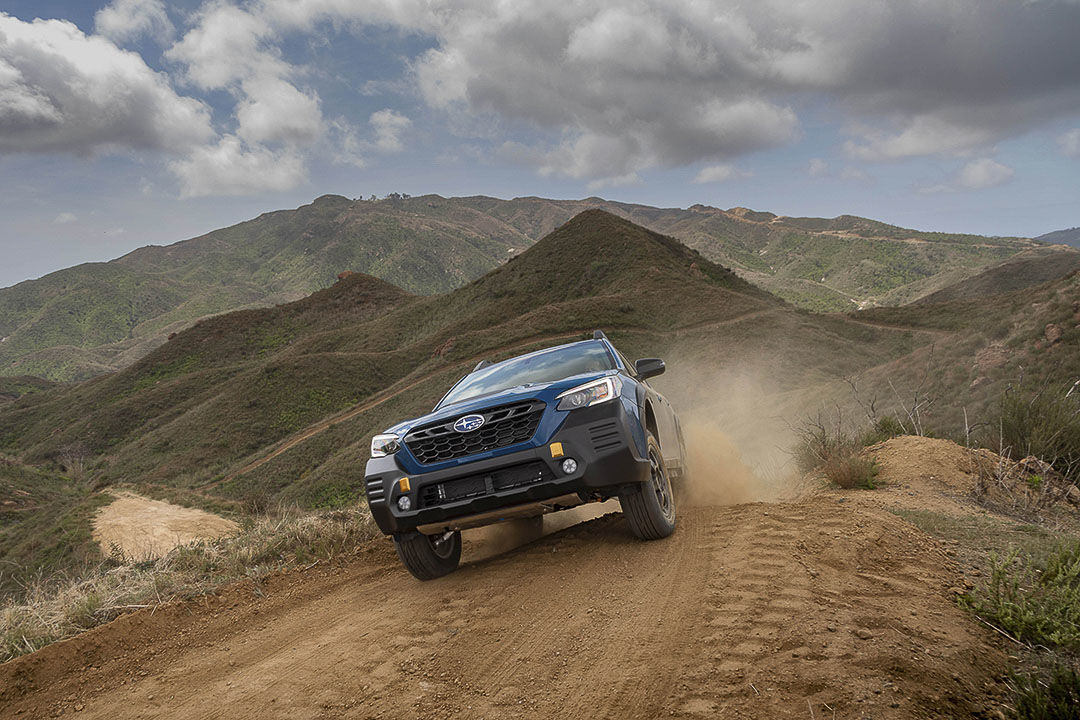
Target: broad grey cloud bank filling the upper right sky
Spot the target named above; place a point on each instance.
(659, 81)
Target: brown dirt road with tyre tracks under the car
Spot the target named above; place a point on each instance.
(821, 608)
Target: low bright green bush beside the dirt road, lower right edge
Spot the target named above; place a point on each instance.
(1037, 603)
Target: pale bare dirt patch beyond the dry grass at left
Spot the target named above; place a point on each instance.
(141, 528)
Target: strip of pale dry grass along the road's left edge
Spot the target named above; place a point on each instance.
(51, 609)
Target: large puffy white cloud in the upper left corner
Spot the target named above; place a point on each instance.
(62, 91)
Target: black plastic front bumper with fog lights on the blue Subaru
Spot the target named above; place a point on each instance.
(526, 482)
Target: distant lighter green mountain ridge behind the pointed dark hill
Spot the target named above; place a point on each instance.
(93, 319)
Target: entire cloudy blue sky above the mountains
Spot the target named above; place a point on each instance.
(140, 123)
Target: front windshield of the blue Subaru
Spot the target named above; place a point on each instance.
(539, 369)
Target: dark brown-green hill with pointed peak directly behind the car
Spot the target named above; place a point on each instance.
(187, 418)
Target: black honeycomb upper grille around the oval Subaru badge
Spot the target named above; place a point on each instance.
(503, 427)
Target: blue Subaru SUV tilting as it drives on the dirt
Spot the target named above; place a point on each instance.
(530, 436)
